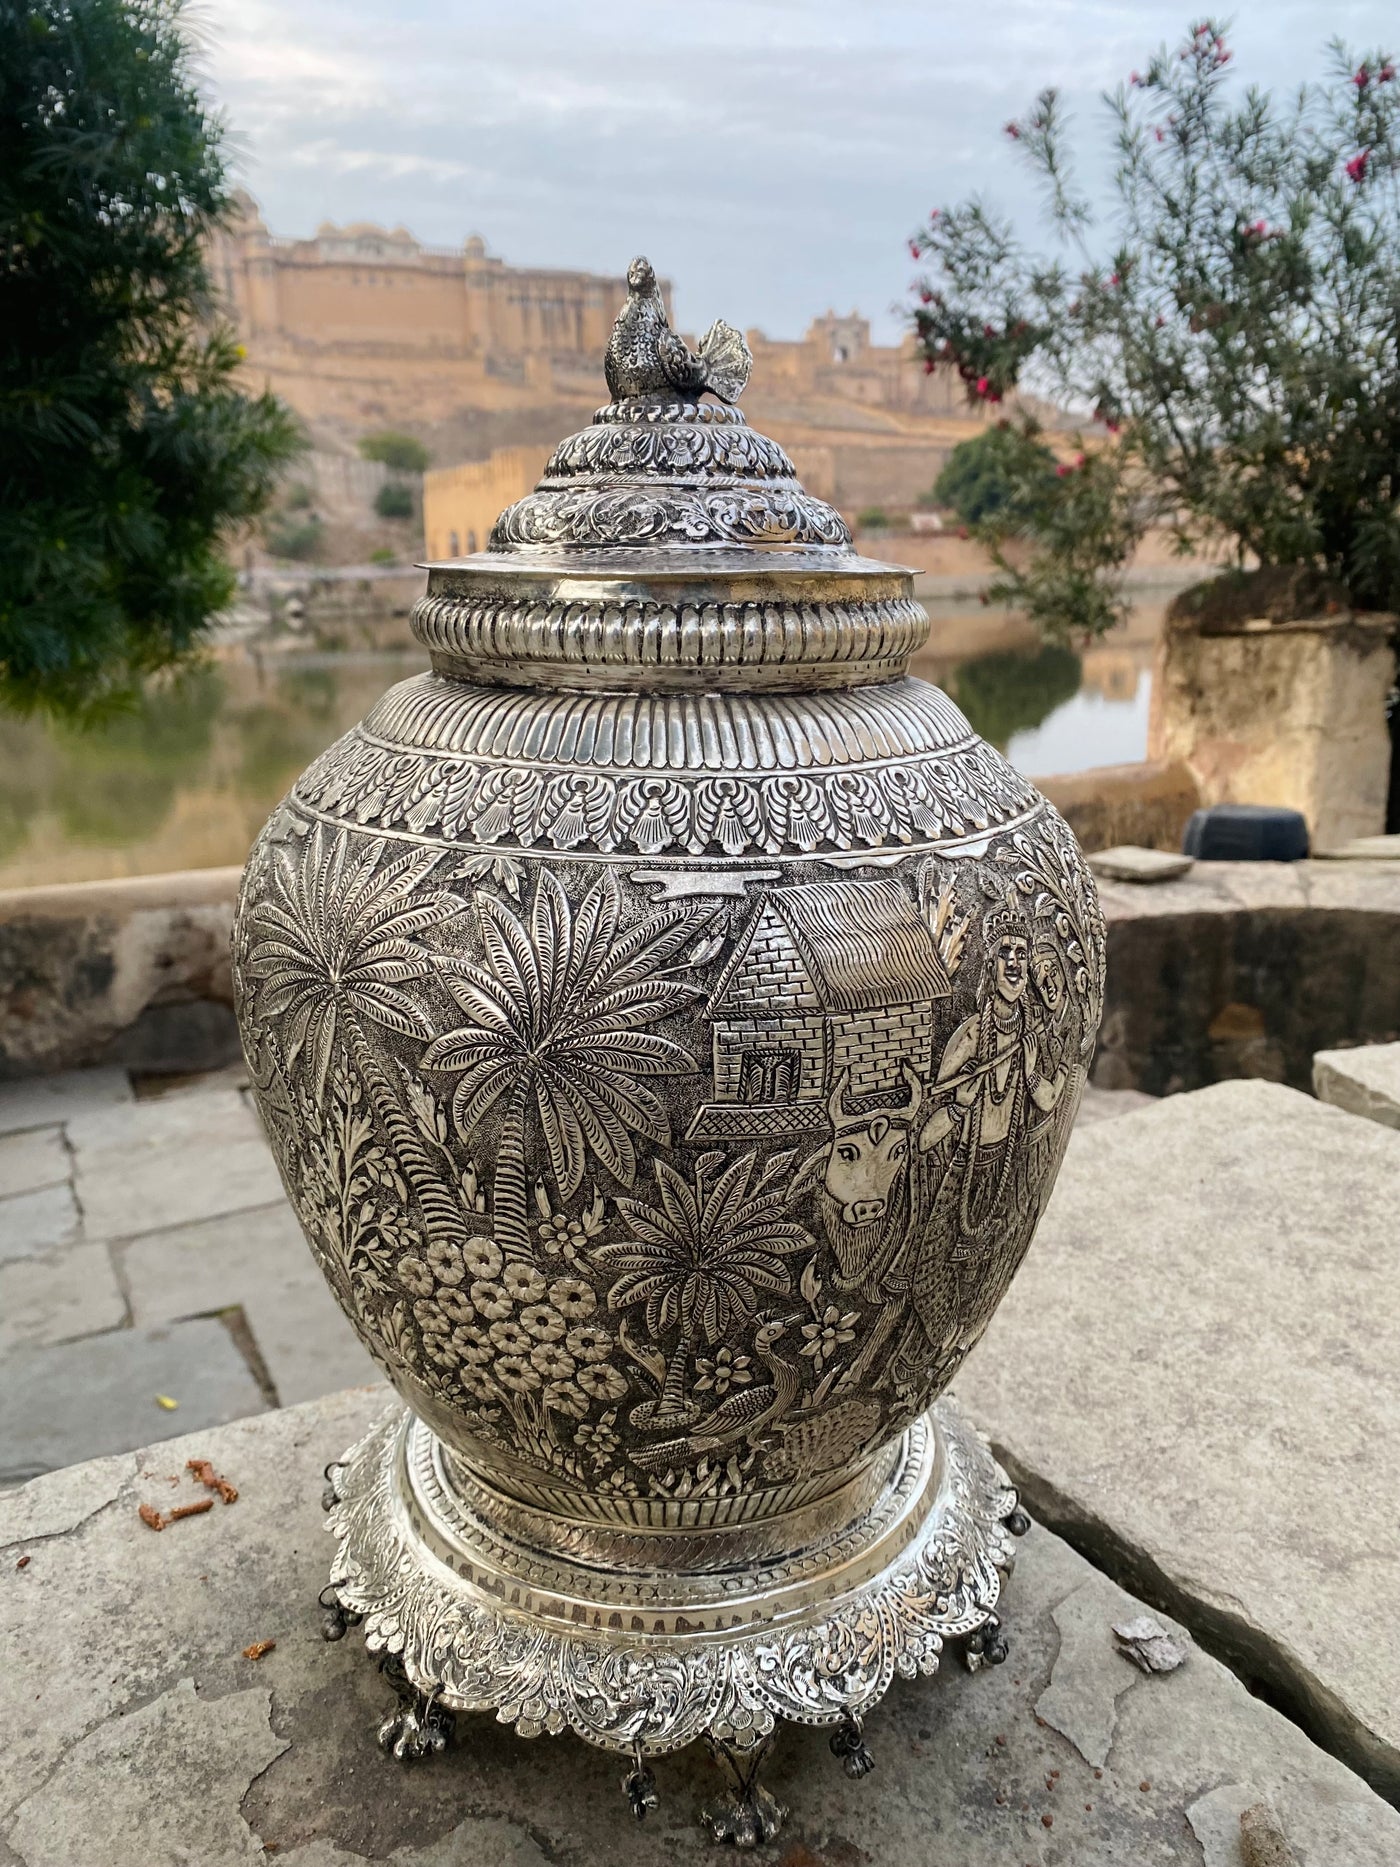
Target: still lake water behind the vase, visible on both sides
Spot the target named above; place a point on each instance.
(189, 779)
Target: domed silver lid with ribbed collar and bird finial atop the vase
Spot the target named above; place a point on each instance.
(671, 548)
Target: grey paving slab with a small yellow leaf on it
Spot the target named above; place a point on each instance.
(104, 1392)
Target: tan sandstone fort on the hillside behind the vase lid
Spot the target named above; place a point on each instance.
(365, 328)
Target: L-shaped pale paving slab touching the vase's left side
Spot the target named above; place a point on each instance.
(259, 1261)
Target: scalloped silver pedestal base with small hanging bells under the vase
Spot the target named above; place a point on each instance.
(471, 1618)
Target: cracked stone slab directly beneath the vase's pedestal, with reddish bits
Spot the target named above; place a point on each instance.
(135, 1732)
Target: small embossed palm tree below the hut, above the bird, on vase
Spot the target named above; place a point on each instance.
(701, 1259)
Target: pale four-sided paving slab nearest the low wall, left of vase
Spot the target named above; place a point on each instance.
(169, 1162)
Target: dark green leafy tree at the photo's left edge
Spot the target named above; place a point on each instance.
(126, 449)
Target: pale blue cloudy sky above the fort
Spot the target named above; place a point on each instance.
(772, 158)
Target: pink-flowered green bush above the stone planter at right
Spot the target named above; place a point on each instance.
(1233, 324)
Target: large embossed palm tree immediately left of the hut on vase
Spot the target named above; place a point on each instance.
(555, 1018)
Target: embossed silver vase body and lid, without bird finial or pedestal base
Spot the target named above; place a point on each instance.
(667, 1015)
